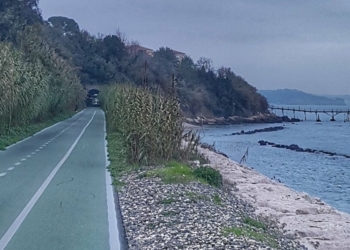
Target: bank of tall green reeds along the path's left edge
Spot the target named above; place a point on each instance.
(35, 85)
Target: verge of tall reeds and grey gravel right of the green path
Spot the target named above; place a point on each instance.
(164, 202)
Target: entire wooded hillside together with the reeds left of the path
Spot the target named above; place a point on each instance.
(45, 66)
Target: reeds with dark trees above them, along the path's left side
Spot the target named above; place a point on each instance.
(35, 82)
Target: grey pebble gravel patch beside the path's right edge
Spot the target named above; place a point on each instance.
(191, 216)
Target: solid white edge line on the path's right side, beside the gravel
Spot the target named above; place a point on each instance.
(114, 237)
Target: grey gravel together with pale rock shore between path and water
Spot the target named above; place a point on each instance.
(197, 216)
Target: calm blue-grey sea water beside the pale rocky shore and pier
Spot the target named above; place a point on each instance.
(327, 177)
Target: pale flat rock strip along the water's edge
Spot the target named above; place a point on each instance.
(316, 224)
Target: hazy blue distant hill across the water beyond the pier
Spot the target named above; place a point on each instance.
(296, 97)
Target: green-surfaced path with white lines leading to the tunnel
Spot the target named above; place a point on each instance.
(55, 192)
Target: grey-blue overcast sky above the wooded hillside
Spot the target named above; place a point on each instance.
(298, 44)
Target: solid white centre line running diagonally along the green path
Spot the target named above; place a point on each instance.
(19, 220)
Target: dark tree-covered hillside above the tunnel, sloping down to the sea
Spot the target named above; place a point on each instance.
(201, 90)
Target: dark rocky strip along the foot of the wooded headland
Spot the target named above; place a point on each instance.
(261, 118)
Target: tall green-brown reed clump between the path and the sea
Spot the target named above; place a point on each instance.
(151, 124)
